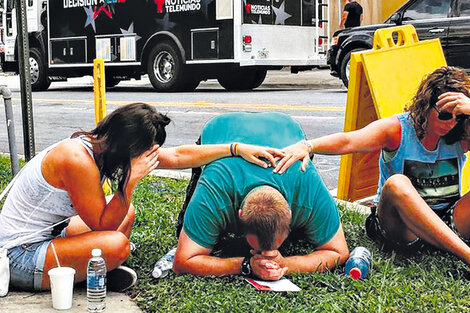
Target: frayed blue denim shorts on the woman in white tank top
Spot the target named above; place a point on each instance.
(27, 264)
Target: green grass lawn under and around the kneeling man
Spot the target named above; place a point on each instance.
(428, 282)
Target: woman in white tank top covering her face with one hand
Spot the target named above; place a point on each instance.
(58, 196)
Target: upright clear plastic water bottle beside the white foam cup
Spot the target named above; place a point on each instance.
(96, 282)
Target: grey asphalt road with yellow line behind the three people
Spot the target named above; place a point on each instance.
(67, 107)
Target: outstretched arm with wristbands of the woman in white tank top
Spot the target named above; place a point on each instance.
(188, 156)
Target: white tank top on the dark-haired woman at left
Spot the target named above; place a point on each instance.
(33, 204)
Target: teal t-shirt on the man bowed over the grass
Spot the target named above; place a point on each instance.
(213, 209)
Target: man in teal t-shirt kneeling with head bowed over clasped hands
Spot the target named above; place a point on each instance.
(235, 197)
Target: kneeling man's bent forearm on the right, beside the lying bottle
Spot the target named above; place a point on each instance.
(327, 256)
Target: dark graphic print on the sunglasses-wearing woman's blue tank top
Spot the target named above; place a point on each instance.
(437, 182)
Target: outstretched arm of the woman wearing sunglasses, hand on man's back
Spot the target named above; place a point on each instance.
(381, 134)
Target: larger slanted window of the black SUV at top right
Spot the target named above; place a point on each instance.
(427, 9)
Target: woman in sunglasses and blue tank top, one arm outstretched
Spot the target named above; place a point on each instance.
(422, 156)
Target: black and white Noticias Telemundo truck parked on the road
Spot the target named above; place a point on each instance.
(177, 43)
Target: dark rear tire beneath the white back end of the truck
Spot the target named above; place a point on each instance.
(242, 79)
